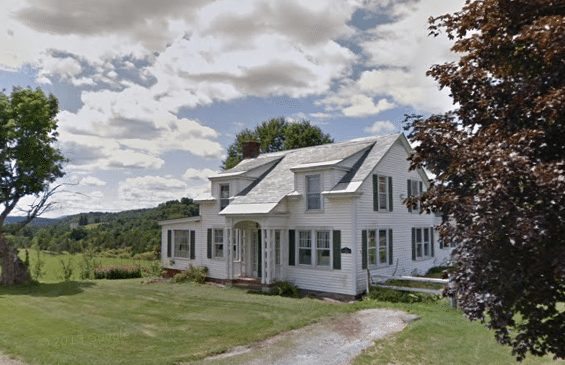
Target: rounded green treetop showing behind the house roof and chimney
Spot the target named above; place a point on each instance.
(276, 134)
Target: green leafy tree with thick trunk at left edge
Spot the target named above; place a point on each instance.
(30, 163)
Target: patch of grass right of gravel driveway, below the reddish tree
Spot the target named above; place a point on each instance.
(441, 336)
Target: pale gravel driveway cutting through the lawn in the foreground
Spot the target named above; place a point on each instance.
(332, 342)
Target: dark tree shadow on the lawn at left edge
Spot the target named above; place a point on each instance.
(60, 289)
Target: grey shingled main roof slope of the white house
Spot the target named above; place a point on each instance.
(279, 181)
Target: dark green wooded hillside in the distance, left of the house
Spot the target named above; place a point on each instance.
(134, 231)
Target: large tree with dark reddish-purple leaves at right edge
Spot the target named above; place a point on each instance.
(499, 162)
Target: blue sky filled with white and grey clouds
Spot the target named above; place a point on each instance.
(151, 93)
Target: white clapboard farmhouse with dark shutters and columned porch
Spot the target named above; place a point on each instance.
(319, 217)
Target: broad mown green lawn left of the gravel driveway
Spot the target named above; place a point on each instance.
(127, 322)
